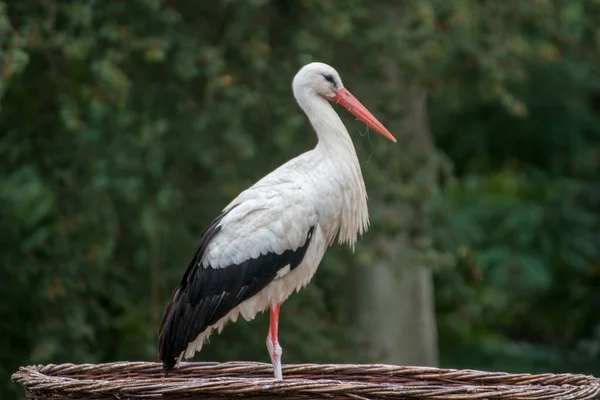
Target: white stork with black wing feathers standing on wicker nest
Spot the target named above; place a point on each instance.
(269, 240)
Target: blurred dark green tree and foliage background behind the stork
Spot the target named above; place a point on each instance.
(126, 126)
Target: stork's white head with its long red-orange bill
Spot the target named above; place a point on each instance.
(321, 80)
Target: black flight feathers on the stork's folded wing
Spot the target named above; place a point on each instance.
(206, 294)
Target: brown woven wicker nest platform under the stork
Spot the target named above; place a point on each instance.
(143, 380)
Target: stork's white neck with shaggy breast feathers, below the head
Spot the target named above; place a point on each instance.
(336, 145)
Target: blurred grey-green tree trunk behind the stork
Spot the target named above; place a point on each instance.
(396, 306)
